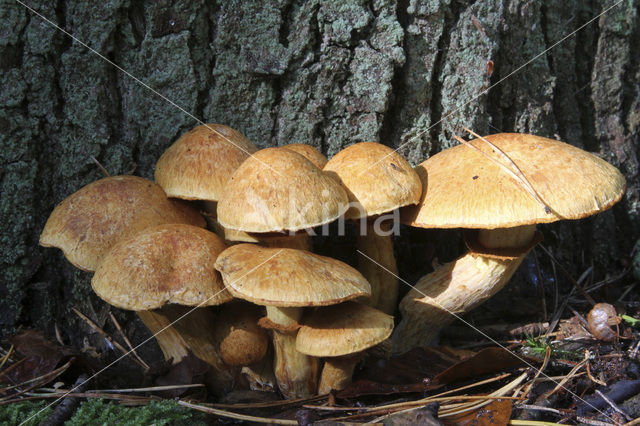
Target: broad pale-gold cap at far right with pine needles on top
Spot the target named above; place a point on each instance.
(464, 189)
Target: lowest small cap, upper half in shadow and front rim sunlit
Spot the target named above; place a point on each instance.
(343, 329)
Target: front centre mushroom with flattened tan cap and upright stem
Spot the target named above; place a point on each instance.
(286, 280)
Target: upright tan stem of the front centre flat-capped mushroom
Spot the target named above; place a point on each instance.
(296, 373)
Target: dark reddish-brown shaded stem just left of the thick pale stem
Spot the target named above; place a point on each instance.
(378, 265)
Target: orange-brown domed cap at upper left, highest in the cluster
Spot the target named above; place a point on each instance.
(198, 165)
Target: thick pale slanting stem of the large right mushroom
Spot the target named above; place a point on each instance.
(458, 287)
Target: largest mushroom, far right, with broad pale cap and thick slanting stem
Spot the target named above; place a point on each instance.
(463, 189)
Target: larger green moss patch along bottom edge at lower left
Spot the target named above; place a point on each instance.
(98, 412)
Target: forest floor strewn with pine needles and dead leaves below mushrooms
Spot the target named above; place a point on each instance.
(580, 366)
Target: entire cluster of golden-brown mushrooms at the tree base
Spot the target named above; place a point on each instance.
(151, 253)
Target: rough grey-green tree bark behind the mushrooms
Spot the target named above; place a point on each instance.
(407, 73)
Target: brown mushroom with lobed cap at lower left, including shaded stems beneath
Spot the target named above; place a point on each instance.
(161, 273)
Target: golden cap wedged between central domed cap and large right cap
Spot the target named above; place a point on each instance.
(377, 179)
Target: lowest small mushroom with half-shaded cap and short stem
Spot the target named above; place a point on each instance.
(341, 333)
